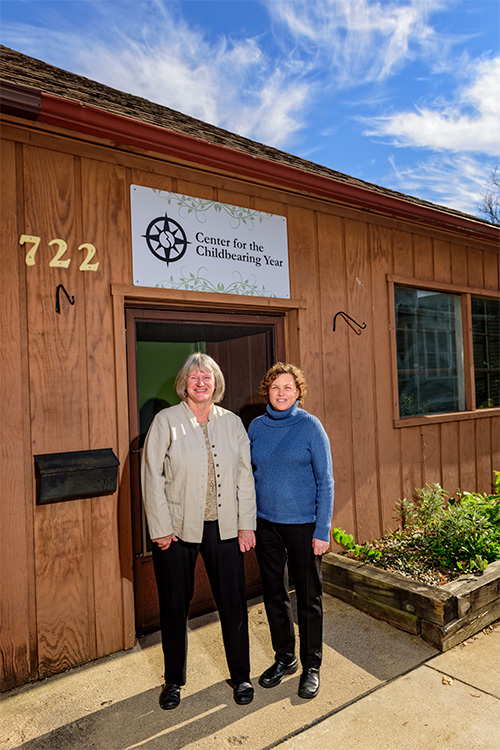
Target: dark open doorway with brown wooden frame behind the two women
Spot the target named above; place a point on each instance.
(158, 341)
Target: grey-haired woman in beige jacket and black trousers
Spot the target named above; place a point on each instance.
(199, 497)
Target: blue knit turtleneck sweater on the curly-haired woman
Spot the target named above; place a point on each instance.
(292, 467)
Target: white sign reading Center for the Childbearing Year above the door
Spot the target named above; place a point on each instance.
(181, 242)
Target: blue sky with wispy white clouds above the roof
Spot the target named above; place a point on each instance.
(404, 94)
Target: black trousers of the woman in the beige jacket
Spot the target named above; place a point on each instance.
(174, 573)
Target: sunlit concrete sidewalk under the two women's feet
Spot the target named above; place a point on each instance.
(380, 688)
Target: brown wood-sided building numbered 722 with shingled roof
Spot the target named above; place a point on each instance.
(392, 313)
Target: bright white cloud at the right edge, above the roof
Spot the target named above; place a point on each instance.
(470, 124)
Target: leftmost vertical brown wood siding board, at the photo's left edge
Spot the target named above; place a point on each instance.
(17, 633)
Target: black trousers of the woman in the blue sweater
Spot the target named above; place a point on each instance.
(277, 545)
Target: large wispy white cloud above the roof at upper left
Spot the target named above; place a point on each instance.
(230, 83)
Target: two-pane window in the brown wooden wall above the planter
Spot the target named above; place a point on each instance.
(430, 351)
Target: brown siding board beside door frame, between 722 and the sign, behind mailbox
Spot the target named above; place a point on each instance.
(105, 220)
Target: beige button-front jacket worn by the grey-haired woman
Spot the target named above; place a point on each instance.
(175, 472)
